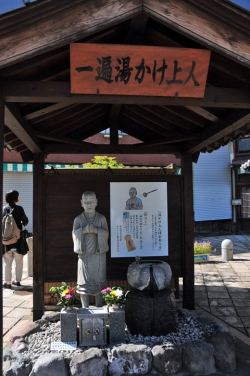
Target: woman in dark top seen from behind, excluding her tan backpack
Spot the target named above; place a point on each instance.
(14, 251)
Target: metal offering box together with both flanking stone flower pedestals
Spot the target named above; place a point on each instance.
(93, 324)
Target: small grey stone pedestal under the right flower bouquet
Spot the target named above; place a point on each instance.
(116, 326)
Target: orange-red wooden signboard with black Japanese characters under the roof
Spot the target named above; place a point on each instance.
(138, 70)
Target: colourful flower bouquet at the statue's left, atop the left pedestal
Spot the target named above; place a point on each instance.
(66, 295)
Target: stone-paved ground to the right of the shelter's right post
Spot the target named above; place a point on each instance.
(222, 288)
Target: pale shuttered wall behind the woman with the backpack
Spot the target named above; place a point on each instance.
(23, 183)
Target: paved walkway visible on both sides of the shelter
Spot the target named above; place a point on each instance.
(222, 291)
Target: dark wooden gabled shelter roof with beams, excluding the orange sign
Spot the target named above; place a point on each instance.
(41, 116)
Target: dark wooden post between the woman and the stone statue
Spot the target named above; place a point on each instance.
(38, 237)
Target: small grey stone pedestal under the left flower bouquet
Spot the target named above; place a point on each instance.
(68, 325)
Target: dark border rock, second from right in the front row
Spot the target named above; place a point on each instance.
(197, 357)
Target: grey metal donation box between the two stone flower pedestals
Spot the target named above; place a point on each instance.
(92, 326)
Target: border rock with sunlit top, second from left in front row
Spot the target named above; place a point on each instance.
(50, 364)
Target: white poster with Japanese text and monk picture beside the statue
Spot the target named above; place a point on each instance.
(139, 219)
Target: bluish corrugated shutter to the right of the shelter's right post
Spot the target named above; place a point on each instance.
(212, 186)
